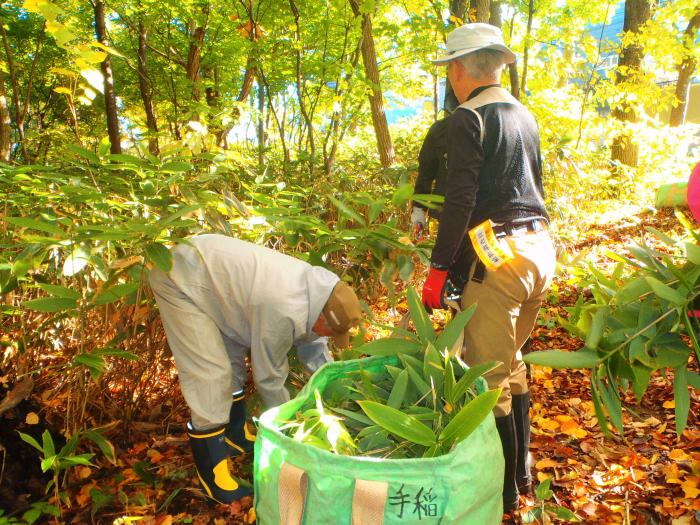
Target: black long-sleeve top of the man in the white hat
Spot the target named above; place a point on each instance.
(494, 169)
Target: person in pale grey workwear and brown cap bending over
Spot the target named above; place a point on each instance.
(224, 298)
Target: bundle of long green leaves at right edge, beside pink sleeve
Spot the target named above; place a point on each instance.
(637, 323)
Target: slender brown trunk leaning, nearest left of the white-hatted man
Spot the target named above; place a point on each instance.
(376, 101)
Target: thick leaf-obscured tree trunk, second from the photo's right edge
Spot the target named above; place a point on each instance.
(637, 12)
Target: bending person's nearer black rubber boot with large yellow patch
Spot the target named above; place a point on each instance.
(211, 455)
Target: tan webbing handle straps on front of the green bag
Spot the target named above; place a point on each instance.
(368, 499)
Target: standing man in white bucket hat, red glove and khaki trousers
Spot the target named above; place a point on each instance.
(494, 192)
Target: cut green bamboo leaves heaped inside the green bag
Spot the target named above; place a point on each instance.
(419, 409)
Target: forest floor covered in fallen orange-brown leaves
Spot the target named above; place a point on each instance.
(646, 477)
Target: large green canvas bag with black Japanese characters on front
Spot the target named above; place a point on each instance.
(298, 484)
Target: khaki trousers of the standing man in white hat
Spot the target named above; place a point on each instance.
(508, 301)
